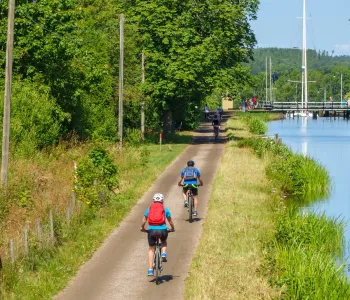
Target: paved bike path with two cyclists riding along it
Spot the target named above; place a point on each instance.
(118, 268)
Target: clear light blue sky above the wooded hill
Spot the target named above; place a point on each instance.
(328, 28)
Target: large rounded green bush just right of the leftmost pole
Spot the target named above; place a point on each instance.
(36, 119)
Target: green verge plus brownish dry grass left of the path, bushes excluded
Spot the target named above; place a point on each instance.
(49, 272)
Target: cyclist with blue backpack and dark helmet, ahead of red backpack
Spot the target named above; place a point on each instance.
(190, 176)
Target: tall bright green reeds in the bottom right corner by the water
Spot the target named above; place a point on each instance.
(301, 257)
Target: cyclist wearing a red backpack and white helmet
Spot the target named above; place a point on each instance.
(156, 215)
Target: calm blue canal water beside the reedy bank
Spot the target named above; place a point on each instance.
(328, 141)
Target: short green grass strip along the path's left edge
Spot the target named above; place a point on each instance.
(44, 273)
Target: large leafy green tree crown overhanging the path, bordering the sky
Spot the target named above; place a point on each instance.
(191, 49)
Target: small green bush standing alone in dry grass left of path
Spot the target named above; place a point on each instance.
(97, 176)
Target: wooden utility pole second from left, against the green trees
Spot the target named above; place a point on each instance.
(121, 81)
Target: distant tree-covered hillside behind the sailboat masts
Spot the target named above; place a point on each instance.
(325, 69)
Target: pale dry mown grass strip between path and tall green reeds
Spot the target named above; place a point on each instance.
(227, 261)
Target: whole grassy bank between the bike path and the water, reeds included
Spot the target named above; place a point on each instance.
(254, 246)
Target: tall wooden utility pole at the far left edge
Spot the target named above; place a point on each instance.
(7, 98)
